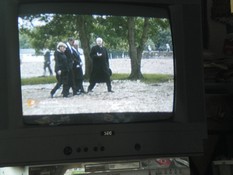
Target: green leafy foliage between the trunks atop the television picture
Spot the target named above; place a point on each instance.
(49, 29)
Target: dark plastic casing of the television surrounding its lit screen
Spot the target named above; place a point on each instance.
(21, 145)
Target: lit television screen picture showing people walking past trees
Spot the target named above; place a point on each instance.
(139, 53)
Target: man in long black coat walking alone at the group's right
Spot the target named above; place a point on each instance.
(100, 66)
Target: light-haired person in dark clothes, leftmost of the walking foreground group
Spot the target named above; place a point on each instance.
(61, 70)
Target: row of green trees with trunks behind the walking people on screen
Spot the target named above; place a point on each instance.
(130, 34)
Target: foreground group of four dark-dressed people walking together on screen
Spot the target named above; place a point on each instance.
(68, 68)
